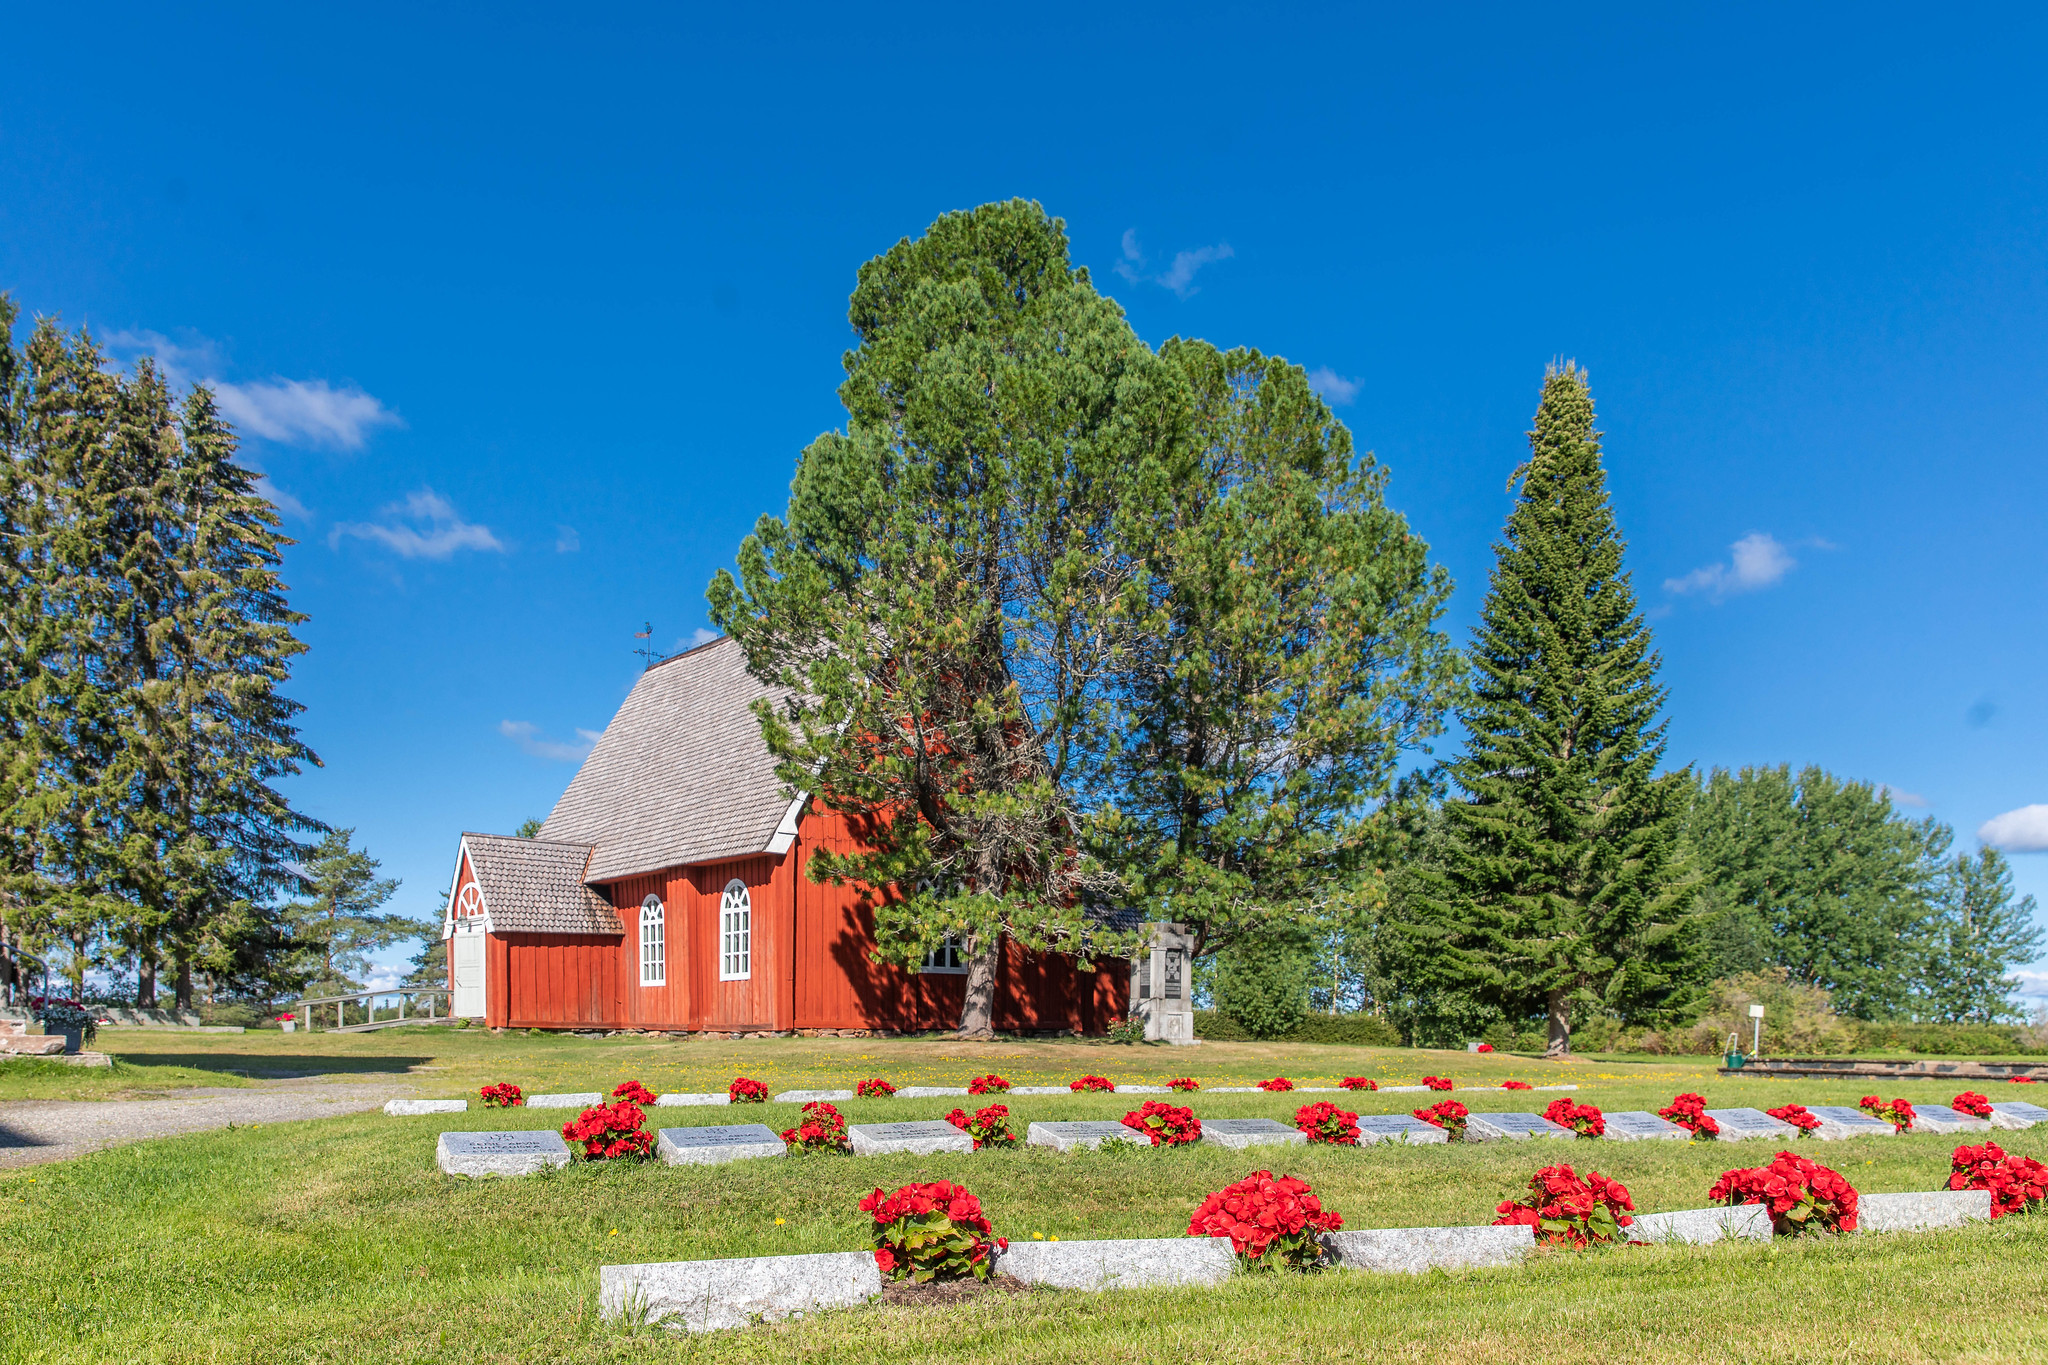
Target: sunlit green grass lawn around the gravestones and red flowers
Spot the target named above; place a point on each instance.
(339, 1241)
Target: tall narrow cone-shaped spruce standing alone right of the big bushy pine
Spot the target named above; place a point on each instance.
(1564, 891)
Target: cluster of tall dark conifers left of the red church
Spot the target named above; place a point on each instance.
(144, 648)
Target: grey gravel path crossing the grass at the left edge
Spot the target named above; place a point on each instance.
(40, 1131)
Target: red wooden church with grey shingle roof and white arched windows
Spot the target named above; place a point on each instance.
(667, 891)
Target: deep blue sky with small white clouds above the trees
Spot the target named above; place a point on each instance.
(527, 320)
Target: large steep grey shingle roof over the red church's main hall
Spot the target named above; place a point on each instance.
(681, 775)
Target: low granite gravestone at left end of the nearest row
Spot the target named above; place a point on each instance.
(706, 1296)
